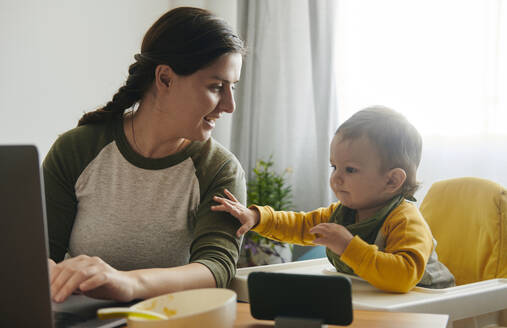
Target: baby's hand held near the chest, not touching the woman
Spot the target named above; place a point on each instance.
(334, 236)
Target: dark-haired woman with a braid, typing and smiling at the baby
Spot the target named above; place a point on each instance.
(128, 191)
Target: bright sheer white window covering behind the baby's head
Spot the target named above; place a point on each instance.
(441, 63)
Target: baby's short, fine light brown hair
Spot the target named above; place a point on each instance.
(398, 142)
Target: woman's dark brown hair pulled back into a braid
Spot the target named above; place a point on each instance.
(187, 39)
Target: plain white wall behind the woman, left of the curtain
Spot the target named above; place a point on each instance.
(60, 58)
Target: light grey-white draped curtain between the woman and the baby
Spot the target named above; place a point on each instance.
(286, 100)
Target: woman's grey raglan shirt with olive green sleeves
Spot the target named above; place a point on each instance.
(105, 200)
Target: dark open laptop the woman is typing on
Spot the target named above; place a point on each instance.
(24, 280)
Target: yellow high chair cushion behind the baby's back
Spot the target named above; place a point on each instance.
(468, 218)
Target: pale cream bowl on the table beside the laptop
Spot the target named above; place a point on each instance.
(206, 307)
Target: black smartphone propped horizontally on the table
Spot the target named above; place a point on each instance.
(326, 298)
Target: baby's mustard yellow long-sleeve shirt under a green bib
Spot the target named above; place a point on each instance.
(397, 260)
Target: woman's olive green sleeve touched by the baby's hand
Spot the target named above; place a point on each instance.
(215, 243)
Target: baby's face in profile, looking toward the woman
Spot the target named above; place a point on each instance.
(356, 177)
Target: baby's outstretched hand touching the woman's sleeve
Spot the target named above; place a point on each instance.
(248, 218)
